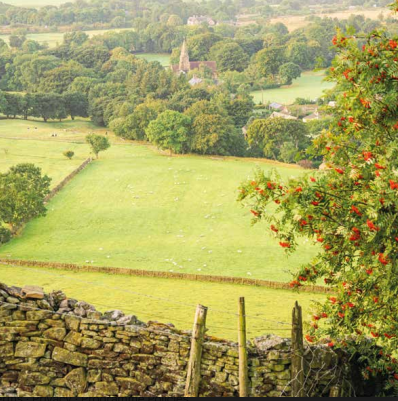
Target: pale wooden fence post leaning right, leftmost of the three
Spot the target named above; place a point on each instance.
(195, 359)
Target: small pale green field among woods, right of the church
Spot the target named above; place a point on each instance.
(309, 86)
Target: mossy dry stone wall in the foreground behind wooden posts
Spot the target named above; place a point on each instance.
(52, 346)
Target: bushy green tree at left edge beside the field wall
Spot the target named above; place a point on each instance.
(22, 193)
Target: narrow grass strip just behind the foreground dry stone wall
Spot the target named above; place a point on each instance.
(120, 292)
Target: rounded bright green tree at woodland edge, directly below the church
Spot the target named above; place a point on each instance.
(170, 131)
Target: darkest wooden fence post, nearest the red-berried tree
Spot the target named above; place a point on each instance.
(297, 353)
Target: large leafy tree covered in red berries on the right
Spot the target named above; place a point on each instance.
(351, 208)
